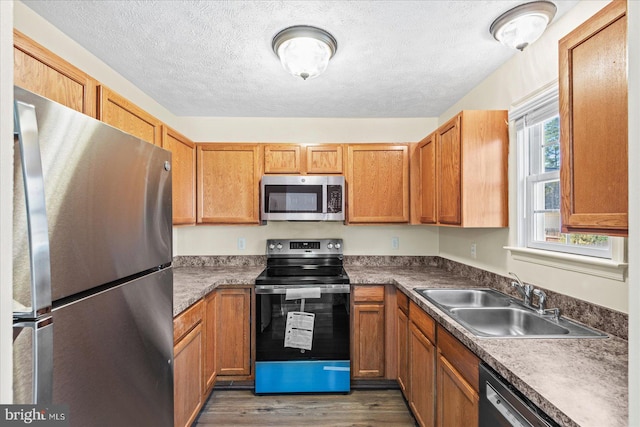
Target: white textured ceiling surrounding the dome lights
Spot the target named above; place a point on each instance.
(214, 58)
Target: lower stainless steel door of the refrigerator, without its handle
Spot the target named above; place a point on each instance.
(113, 355)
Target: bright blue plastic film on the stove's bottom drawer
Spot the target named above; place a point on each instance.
(303, 376)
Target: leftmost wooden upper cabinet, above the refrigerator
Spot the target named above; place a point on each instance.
(41, 71)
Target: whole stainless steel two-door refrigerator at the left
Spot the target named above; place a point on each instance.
(92, 272)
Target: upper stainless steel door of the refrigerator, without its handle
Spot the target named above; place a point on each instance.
(108, 202)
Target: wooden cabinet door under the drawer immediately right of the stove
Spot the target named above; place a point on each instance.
(368, 341)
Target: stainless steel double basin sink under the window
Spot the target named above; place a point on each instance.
(491, 314)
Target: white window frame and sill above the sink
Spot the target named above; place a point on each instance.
(542, 107)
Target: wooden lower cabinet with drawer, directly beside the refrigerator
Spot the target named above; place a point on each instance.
(188, 384)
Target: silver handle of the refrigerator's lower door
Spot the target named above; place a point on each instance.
(41, 360)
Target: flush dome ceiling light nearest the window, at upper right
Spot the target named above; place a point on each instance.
(522, 25)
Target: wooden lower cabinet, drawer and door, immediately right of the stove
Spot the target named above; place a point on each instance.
(368, 332)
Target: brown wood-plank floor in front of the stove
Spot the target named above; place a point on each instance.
(360, 408)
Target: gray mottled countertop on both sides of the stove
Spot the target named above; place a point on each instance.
(578, 382)
